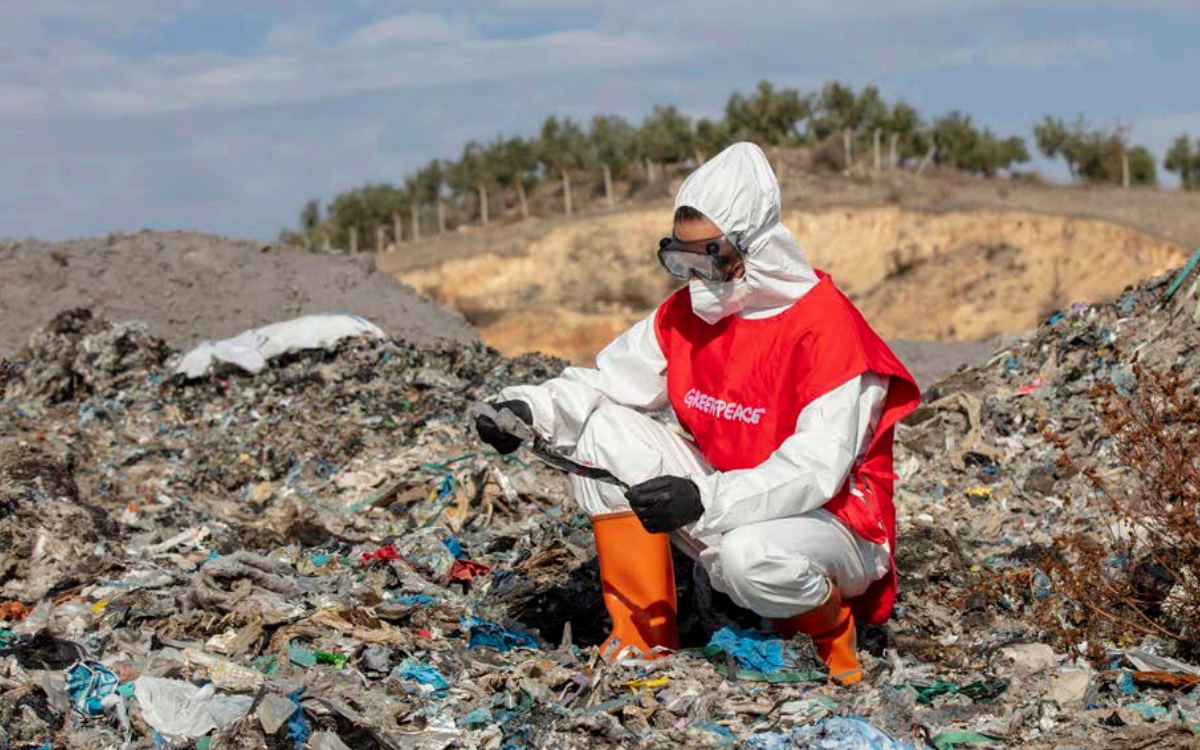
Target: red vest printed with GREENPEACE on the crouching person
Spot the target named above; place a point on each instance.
(740, 386)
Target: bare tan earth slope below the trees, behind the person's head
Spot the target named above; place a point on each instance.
(922, 275)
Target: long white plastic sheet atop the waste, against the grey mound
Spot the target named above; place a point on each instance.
(251, 350)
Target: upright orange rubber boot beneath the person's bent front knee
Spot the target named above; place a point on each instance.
(639, 585)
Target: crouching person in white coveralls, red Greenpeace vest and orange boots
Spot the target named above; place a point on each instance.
(782, 485)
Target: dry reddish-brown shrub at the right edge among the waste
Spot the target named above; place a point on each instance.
(1135, 574)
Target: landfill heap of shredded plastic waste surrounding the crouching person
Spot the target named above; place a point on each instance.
(321, 555)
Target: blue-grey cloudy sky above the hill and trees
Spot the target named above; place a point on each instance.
(225, 117)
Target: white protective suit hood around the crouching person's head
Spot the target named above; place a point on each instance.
(739, 191)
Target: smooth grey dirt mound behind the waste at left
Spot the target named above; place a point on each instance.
(189, 287)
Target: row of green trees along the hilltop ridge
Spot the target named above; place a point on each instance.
(568, 161)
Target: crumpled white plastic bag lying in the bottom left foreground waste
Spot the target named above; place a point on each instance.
(181, 710)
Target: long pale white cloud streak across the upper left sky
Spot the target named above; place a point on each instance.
(398, 53)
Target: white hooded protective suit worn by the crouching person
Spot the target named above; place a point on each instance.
(764, 537)
